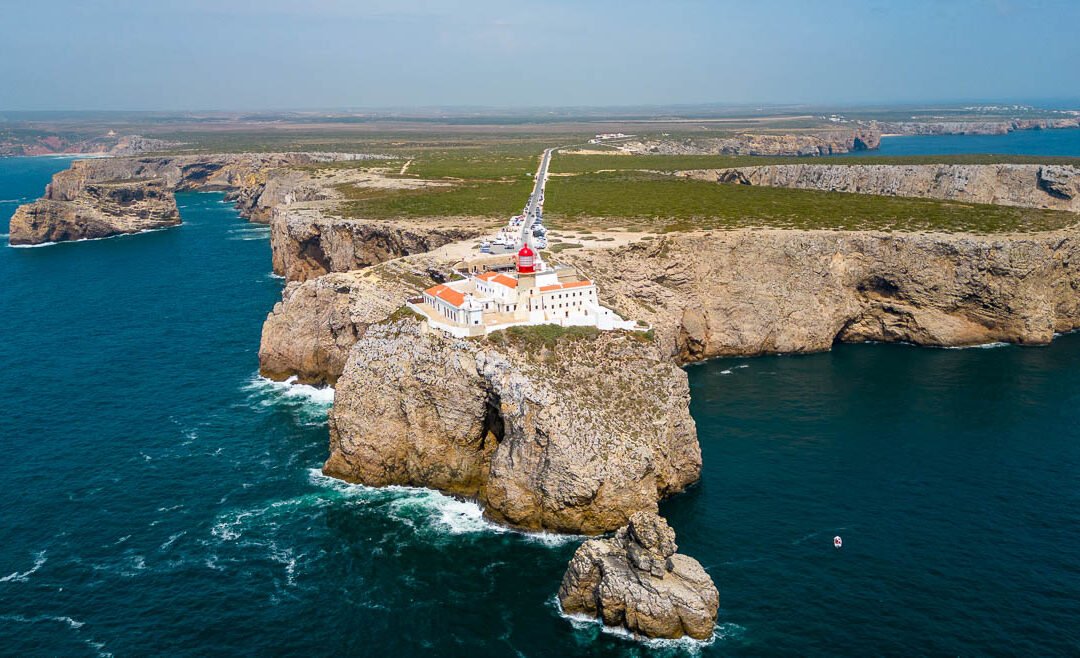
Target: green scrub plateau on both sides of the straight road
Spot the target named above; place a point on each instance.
(489, 178)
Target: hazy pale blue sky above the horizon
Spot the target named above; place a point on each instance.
(322, 55)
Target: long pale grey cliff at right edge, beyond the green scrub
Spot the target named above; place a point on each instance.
(1046, 186)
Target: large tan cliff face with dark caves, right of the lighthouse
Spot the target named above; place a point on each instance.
(754, 292)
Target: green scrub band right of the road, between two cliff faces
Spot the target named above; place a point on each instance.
(659, 204)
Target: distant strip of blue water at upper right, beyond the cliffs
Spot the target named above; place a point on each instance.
(1064, 142)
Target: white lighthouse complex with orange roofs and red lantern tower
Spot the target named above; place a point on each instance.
(535, 294)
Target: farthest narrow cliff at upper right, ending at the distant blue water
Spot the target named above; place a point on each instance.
(825, 143)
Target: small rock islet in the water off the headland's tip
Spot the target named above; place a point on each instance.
(636, 581)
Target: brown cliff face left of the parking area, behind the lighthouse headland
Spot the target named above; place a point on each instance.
(308, 244)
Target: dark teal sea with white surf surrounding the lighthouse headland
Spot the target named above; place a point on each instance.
(163, 500)
